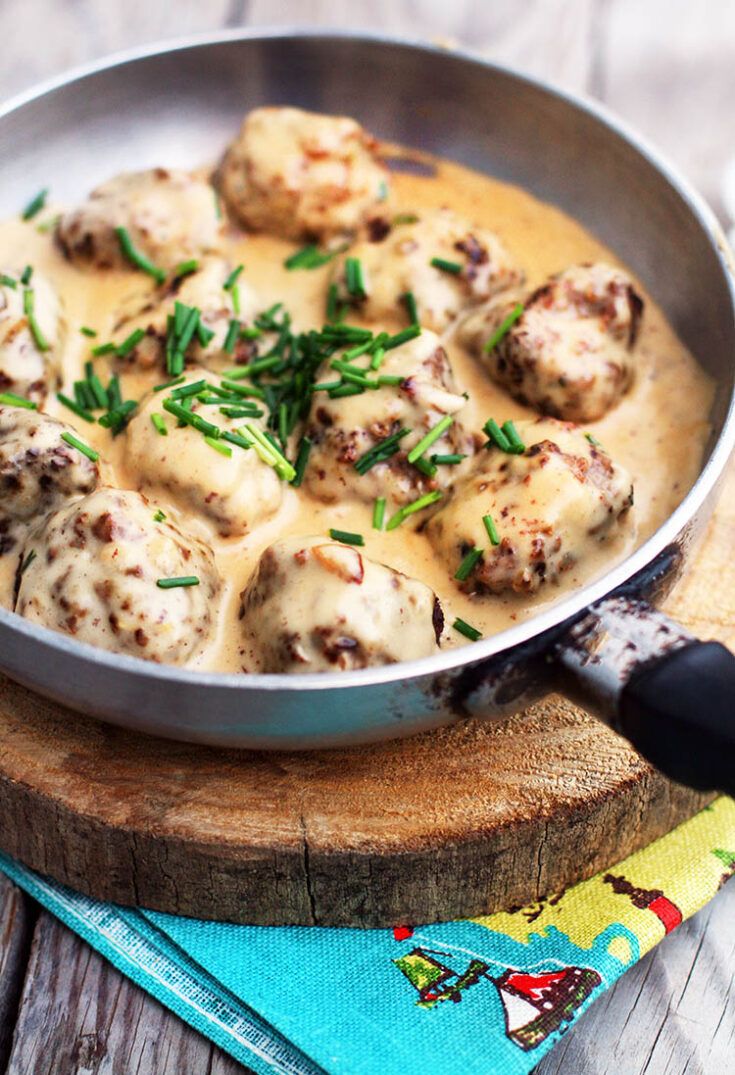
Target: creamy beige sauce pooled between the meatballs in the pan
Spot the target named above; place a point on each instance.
(658, 432)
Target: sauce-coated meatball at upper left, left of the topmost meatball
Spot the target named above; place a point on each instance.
(171, 217)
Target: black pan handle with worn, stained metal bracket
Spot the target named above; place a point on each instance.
(671, 695)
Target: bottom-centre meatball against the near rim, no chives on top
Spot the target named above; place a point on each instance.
(314, 606)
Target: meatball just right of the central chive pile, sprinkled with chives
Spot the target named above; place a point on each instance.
(344, 429)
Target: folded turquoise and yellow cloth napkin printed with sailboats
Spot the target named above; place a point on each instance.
(479, 997)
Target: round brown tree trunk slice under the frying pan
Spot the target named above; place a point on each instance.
(460, 822)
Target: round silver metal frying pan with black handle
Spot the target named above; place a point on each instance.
(606, 644)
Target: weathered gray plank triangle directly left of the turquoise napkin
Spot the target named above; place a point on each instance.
(80, 1016)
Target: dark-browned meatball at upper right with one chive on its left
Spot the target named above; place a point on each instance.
(571, 352)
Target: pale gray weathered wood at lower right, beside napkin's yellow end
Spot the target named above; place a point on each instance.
(672, 1014)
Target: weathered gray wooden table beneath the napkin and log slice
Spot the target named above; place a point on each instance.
(668, 67)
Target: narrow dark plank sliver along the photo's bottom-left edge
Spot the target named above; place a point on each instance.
(17, 926)
